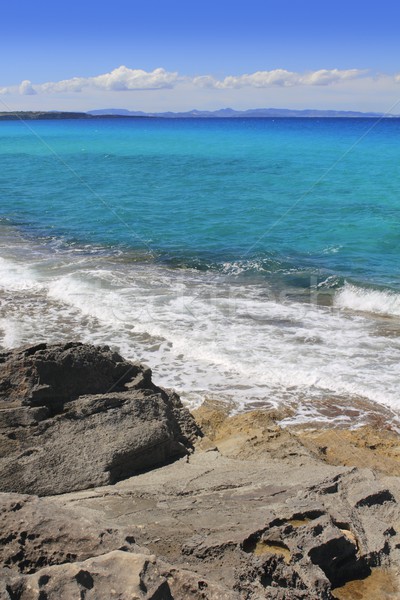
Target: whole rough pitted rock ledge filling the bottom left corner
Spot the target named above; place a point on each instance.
(49, 551)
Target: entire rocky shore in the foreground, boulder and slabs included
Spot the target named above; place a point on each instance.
(111, 489)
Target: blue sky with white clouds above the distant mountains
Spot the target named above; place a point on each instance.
(175, 55)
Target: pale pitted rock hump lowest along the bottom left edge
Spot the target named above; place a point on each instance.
(116, 575)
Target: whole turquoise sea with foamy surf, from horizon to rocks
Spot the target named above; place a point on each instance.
(249, 261)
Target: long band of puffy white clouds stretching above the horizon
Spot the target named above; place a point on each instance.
(126, 79)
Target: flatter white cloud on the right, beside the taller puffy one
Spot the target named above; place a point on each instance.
(279, 77)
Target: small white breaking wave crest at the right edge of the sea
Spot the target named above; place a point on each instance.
(381, 302)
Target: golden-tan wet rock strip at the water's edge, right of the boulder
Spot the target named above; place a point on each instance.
(375, 445)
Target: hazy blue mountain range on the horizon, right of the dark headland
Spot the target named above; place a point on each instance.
(230, 113)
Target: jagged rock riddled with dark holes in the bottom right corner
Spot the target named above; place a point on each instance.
(312, 552)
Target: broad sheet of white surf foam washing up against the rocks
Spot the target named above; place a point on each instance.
(204, 336)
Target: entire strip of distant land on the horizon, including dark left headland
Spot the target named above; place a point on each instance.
(223, 113)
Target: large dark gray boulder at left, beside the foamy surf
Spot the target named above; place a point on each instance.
(75, 416)
